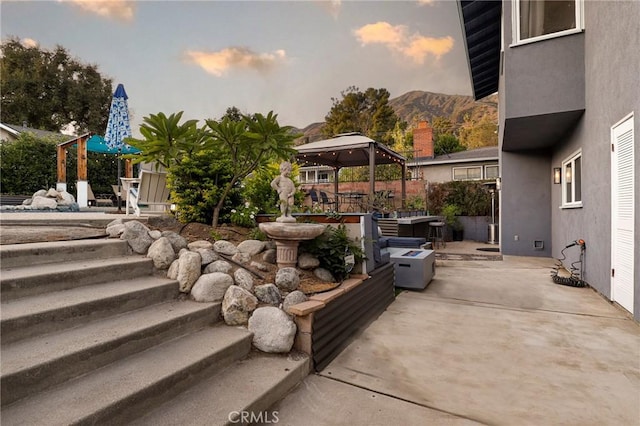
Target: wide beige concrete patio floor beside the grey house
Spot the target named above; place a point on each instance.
(487, 342)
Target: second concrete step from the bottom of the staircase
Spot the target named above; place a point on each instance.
(126, 389)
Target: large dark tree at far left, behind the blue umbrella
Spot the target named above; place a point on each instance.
(48, 90)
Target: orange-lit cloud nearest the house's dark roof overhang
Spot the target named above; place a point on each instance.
(396, 38)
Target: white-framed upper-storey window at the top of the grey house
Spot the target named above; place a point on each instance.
(541, 19)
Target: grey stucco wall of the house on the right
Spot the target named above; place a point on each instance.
(606, 85)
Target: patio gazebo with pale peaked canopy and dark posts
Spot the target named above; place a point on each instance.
(351, 150)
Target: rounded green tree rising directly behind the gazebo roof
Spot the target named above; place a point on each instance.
(368, 113)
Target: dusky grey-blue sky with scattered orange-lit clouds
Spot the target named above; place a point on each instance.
(289, 57)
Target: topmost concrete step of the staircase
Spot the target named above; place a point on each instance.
(29, 254)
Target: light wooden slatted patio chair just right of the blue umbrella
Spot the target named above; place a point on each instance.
(149, 189)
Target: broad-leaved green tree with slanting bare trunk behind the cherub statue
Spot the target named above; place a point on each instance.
(249, 144)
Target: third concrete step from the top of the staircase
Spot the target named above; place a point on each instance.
(31, 316)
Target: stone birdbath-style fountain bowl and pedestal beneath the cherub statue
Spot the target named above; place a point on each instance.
(287, 236)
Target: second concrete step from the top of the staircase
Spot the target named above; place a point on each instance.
(33, 280)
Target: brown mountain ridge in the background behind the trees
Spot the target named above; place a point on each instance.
(418, 105)
